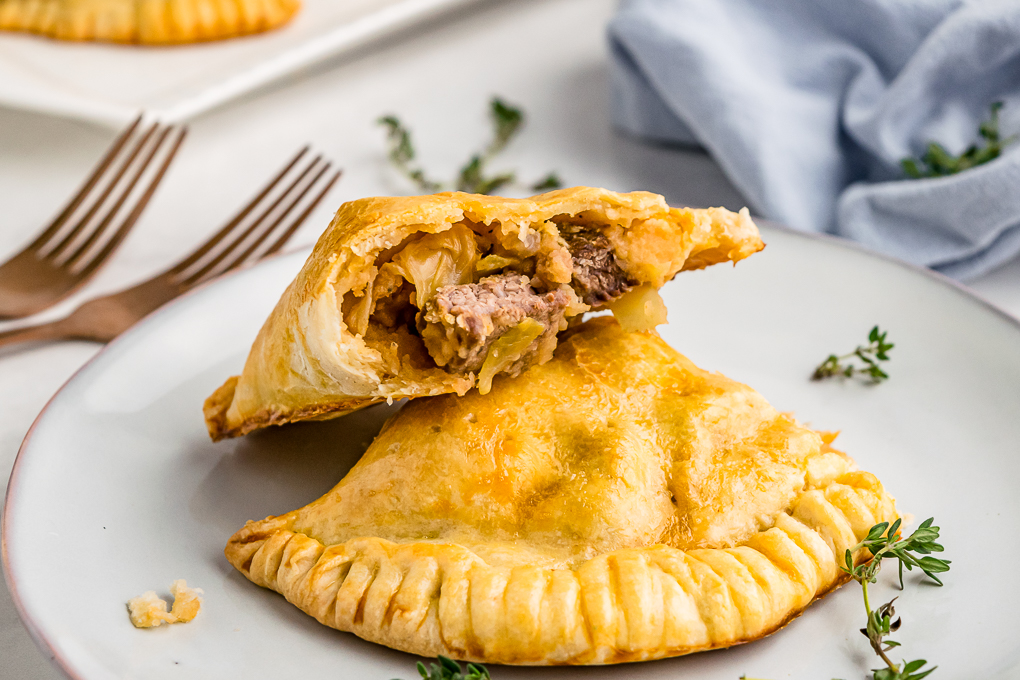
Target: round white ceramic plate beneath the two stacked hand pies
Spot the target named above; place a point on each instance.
(119, 491)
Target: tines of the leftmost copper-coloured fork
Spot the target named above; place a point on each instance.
(84, 235)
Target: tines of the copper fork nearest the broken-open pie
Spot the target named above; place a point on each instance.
(265, 226)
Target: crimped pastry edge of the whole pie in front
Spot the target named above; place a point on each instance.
(441, 599)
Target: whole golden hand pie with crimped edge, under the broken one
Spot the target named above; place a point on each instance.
(616, 504)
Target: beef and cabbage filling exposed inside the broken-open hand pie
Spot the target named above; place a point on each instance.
(504, 323)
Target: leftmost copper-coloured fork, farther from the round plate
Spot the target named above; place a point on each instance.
(64, 257)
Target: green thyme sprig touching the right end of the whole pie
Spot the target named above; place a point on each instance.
(885, 542)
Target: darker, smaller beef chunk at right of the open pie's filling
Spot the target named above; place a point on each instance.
(598, 279)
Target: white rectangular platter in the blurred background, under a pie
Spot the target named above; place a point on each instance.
(111, 84)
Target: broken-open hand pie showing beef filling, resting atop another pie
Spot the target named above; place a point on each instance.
(421, 296)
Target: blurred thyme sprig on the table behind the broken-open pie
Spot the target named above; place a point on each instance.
(507, 122)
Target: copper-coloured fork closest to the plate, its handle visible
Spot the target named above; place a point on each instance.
(104, 319)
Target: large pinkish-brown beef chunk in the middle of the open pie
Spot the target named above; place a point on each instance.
(462, 322)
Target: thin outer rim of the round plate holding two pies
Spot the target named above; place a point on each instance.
(35, 631)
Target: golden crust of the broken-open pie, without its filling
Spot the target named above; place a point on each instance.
(307, 360)
